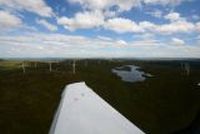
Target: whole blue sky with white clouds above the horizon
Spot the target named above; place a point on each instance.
(99, 28)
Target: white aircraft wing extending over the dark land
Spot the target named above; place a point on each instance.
(82, 111)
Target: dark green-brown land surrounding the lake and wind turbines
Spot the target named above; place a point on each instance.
(169, 102)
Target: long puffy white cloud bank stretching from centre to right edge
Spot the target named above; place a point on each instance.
(87, 20)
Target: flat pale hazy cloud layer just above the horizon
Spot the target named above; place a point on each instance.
(58, 45)
